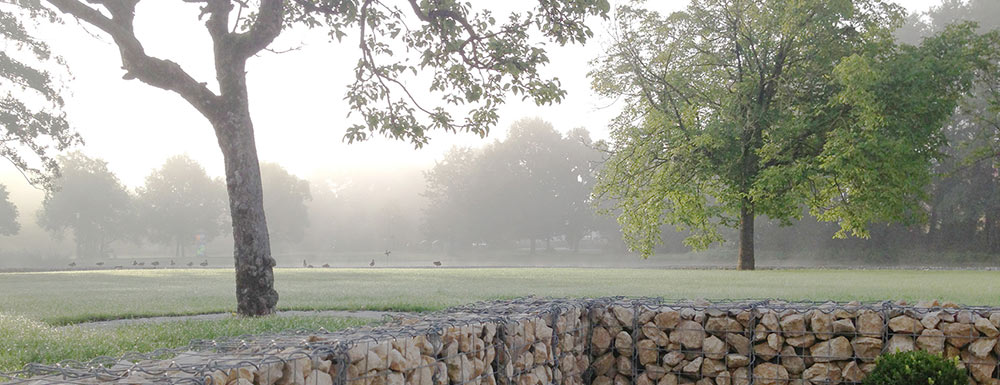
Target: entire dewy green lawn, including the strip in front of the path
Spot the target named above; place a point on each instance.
(33, 304)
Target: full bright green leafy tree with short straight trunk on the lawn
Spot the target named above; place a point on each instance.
(742, 108)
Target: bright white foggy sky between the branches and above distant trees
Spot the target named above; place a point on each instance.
(296, 99)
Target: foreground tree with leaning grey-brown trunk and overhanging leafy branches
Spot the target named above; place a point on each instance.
(472, 59)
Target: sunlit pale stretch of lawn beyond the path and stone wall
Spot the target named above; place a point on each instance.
(61, 298)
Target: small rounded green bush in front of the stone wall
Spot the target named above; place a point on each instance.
(916, 368)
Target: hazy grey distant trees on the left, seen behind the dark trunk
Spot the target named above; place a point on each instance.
(179, 206)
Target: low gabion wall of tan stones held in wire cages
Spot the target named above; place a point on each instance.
(608, 341)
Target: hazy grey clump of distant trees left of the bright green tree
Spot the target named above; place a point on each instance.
(534, 186)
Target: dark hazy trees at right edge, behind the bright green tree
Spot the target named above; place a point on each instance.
(964, 214)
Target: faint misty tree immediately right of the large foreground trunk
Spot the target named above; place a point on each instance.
(285, 197)
